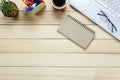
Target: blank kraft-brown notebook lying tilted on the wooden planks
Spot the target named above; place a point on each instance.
(76, 31)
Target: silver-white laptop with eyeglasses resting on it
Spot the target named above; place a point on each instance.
(105, 13)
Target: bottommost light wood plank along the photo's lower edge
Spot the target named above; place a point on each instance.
(30, 73)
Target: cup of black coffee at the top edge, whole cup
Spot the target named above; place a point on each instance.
(59, 4)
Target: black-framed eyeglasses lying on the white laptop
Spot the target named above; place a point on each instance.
(105, 18)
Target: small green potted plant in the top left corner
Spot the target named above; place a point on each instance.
(9, 8)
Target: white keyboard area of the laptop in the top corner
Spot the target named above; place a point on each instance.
(112, 5)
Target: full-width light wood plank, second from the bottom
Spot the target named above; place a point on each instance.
(60, 60)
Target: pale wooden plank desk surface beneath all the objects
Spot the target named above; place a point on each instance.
(39, 52)
